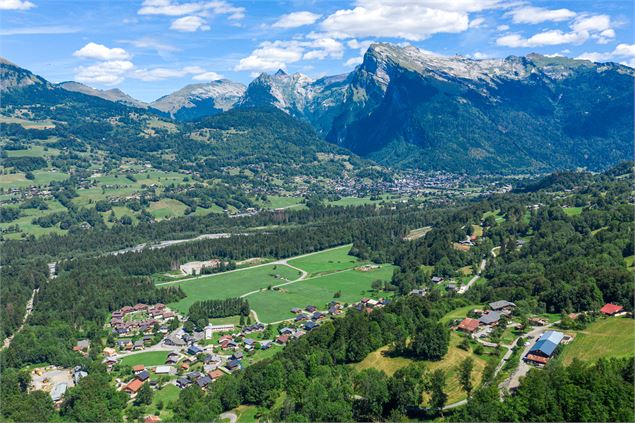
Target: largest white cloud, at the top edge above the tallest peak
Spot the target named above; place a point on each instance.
(412, 20)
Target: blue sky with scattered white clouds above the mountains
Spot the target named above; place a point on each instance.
(149, 48)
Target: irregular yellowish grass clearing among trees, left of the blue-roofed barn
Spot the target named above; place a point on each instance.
(381, 361)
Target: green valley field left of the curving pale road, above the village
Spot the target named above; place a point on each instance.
(232, 284)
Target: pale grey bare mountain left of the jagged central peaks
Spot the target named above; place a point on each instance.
(198, 100)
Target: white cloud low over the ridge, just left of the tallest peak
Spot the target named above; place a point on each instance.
(272, 55)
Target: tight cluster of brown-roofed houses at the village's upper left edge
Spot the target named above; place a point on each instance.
(155, 314)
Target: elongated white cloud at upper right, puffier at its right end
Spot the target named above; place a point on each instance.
(582, 28)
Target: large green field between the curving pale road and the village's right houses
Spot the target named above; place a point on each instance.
(275, 305)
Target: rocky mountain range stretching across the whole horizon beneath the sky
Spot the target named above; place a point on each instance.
(406, 107)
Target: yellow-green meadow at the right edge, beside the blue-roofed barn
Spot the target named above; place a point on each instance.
(611, 337)
